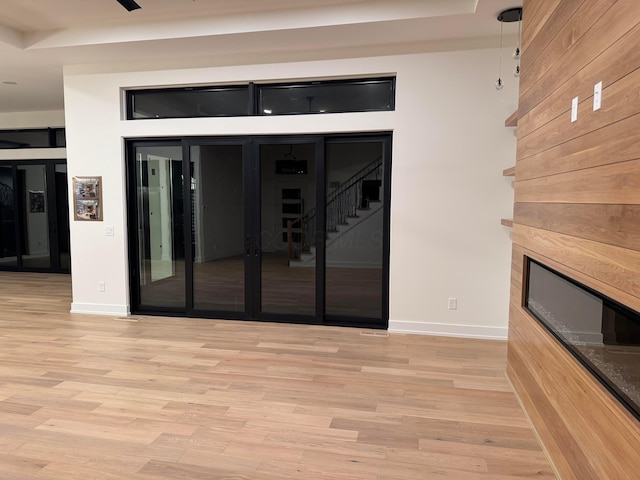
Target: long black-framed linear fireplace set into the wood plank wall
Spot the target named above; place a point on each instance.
(601, 333)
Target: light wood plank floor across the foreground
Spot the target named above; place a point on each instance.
(95, 397)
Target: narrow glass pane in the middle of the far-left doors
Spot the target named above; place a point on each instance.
(32, 192)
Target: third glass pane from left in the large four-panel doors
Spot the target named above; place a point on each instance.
(287, 228)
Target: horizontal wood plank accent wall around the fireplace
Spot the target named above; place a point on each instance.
(577, 210)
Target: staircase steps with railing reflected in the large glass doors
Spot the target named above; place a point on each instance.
(347, 206)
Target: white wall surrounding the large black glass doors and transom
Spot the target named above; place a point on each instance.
(449, 149)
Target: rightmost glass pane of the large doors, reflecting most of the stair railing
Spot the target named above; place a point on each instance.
(355, 229)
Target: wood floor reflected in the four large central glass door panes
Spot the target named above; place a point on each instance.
(219, 286)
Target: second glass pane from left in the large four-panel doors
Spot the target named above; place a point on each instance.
(218, 212)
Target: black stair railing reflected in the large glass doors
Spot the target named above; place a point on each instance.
(341, 204)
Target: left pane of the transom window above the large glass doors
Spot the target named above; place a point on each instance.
(189, 103)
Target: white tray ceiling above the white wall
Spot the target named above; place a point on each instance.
(39, 37)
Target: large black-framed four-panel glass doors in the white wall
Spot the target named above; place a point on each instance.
(292, 229)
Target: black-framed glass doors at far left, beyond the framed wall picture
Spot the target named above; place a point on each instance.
(34, 216)
